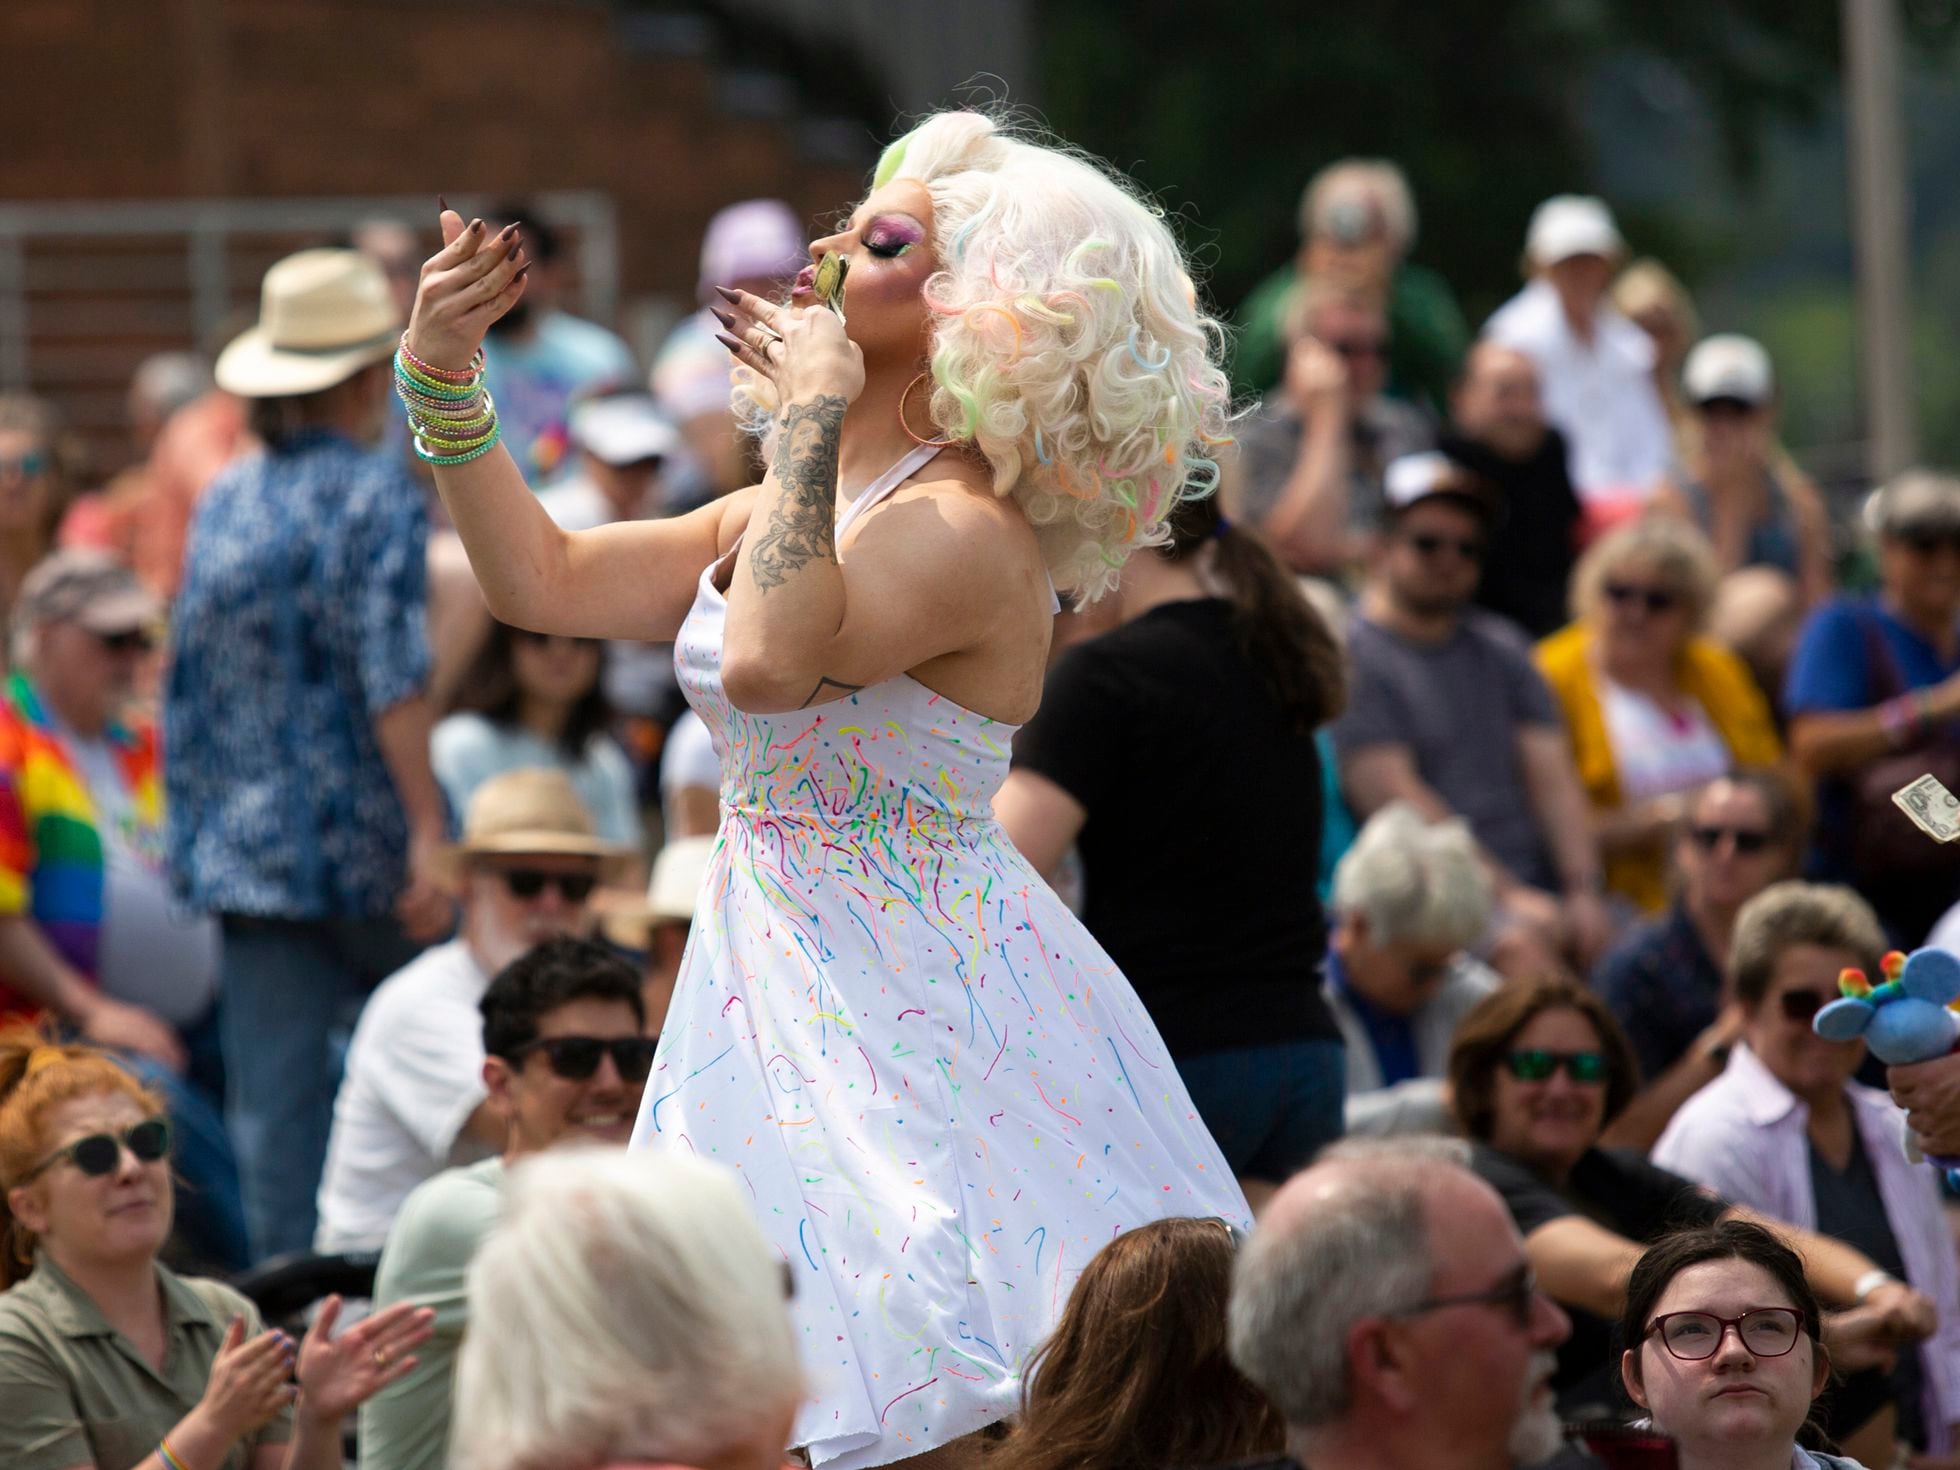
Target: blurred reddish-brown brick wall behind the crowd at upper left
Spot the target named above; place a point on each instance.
(324, 99)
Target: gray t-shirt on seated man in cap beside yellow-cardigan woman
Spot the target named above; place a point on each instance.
(1457, 707)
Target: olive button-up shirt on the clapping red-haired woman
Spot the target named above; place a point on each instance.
(73, 1391)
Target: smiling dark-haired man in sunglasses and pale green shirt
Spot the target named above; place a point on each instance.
(567, 1057)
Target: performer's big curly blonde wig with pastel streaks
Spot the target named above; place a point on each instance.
(1069, 346)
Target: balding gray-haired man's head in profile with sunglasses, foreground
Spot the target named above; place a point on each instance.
(1389, 1312)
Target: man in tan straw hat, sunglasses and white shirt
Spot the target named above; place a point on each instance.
(413, 1099)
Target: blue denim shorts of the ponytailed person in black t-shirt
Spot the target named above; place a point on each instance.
(1269, 1108)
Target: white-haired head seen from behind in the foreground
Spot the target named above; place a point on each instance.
(626, 1312)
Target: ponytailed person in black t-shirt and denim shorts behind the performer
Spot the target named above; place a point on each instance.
(1177, 754)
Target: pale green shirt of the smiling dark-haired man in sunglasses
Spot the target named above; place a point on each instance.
(426, 1263)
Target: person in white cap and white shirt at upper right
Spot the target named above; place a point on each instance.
(1594, 366)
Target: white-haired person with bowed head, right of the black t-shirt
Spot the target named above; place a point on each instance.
(1410, 901)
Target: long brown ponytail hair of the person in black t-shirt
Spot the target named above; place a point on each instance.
(1279, 630)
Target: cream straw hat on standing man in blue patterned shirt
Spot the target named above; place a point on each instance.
(322, 317)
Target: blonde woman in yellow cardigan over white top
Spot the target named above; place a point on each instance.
(1653, 709)
